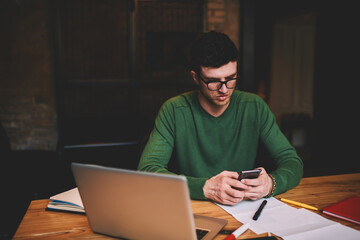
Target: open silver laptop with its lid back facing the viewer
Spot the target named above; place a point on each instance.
(140, 205)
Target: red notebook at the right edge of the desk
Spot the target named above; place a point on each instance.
(347, 209)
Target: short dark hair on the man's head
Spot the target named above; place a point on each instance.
(211, 49)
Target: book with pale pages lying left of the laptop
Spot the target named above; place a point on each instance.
(69, 201)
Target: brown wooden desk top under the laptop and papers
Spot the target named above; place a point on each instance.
(316, 191)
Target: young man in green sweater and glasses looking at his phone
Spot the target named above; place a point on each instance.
(213, 133)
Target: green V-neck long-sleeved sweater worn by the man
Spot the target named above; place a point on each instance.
(205, 145)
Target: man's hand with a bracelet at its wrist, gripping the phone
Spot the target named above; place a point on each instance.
(258, 187)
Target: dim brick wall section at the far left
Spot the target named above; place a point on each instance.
(27, 101)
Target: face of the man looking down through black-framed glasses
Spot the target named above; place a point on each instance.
(221, 97)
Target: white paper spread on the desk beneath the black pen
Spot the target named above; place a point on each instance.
(288, 222)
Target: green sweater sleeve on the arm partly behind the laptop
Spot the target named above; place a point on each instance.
(158, 150)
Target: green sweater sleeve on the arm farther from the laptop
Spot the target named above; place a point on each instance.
(289, 166)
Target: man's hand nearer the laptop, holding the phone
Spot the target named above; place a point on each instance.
(225, 188)
